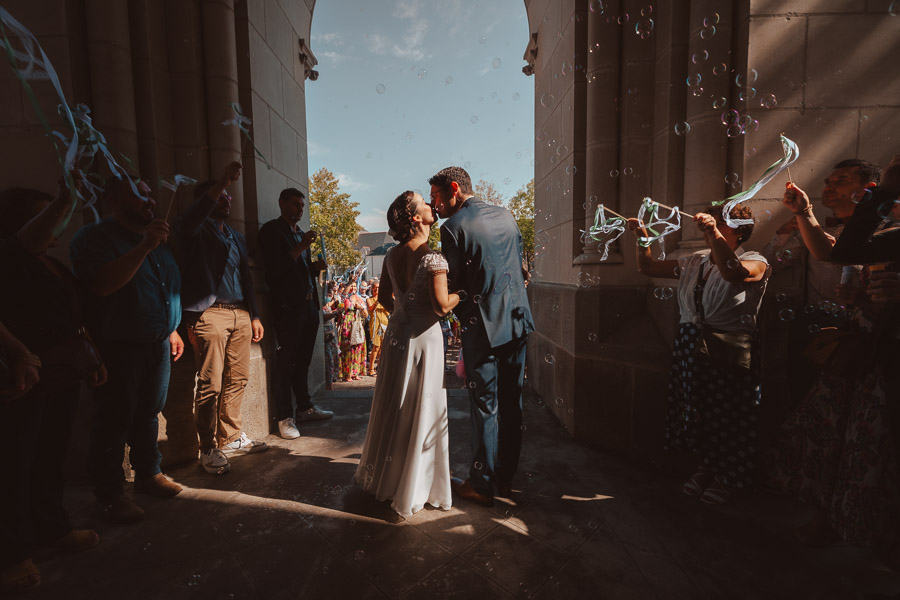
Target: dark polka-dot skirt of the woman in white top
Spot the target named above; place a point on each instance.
(713, 411)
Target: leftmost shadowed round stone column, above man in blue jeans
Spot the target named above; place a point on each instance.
(112, 79)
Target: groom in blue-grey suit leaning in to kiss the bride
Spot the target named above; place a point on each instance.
(483, 248)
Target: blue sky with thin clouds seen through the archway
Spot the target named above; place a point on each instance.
(407, 87)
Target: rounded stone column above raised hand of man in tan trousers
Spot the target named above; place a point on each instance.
(220, 62)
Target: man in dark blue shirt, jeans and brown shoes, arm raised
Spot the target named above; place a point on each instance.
(133, 306)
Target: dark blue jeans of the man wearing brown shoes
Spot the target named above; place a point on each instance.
(126, 411)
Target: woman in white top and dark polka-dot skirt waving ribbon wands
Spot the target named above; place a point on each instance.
(714, 389)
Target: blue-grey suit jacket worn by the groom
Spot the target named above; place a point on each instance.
(484, 251)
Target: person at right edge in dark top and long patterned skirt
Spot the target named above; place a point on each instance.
(839, 449)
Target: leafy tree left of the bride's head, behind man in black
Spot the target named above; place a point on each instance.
(333, 215)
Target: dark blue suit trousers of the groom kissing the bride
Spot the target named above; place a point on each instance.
(496, 413)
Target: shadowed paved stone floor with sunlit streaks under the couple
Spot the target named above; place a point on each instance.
(288, 523)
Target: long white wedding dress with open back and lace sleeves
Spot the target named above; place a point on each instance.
(406, 457)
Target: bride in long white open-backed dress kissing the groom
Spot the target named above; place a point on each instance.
(405, 457)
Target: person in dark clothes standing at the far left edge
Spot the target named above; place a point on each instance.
(42, 334)
